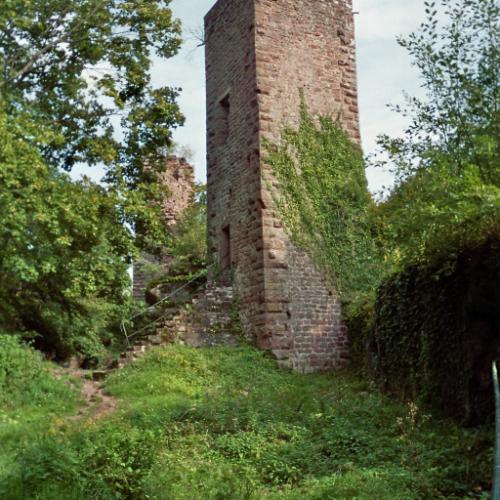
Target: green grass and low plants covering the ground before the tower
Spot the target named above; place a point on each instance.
(225, 423)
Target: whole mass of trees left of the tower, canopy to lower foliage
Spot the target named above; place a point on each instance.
(75, 87)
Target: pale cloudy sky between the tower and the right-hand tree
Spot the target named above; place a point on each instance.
(384, 70)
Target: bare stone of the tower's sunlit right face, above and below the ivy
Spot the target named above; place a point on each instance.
(308, 45)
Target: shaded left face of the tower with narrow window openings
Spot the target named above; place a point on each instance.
(233, 183)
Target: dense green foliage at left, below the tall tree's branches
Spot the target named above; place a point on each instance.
(64, 249)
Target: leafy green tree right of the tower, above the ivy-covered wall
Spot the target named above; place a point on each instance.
(446, 163)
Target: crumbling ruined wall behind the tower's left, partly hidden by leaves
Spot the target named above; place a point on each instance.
(177, 181)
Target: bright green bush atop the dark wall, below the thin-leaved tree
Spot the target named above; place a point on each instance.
(430, 216)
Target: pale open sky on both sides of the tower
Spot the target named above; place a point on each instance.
(384, 71)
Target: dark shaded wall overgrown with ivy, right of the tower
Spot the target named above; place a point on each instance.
(434, 332)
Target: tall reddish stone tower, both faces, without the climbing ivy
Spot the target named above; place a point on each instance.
(259, 53)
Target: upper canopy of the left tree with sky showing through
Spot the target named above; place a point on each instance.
(83, 67)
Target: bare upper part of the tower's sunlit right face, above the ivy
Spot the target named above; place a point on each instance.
(309, 45)
